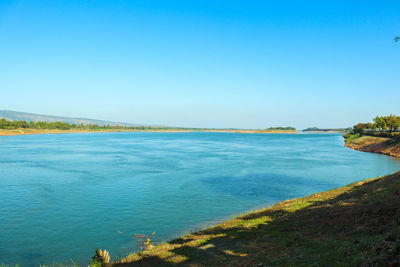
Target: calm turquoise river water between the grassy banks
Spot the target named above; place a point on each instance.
(62, 196)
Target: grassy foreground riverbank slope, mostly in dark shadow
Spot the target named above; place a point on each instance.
(356, 225)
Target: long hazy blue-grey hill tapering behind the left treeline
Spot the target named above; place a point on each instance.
(28, 117)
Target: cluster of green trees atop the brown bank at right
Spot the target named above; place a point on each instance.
(382, 126)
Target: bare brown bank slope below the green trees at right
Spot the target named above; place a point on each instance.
(381, 145)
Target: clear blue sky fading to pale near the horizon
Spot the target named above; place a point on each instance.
(245, 64)
